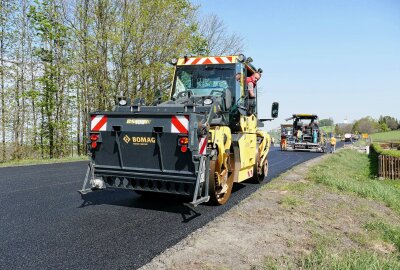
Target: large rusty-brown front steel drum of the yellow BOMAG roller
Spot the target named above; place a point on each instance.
(220, 184)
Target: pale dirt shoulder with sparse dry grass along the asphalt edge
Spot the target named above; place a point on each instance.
(281, 222)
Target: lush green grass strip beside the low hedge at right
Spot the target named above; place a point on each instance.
(349, 171)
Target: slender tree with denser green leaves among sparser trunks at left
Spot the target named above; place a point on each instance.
(45, 17)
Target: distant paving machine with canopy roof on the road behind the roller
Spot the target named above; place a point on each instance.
(306, 134)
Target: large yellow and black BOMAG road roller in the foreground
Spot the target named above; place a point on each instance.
(198, 143)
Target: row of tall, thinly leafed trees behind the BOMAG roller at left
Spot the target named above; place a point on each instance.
(61, 59)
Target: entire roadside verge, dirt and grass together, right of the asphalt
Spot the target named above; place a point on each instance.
(327, 213)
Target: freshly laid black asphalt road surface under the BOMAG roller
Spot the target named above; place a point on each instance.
(45, 224)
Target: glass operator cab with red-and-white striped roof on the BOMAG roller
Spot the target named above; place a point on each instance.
(202, 82)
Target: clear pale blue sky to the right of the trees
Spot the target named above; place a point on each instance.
(338, 59)
